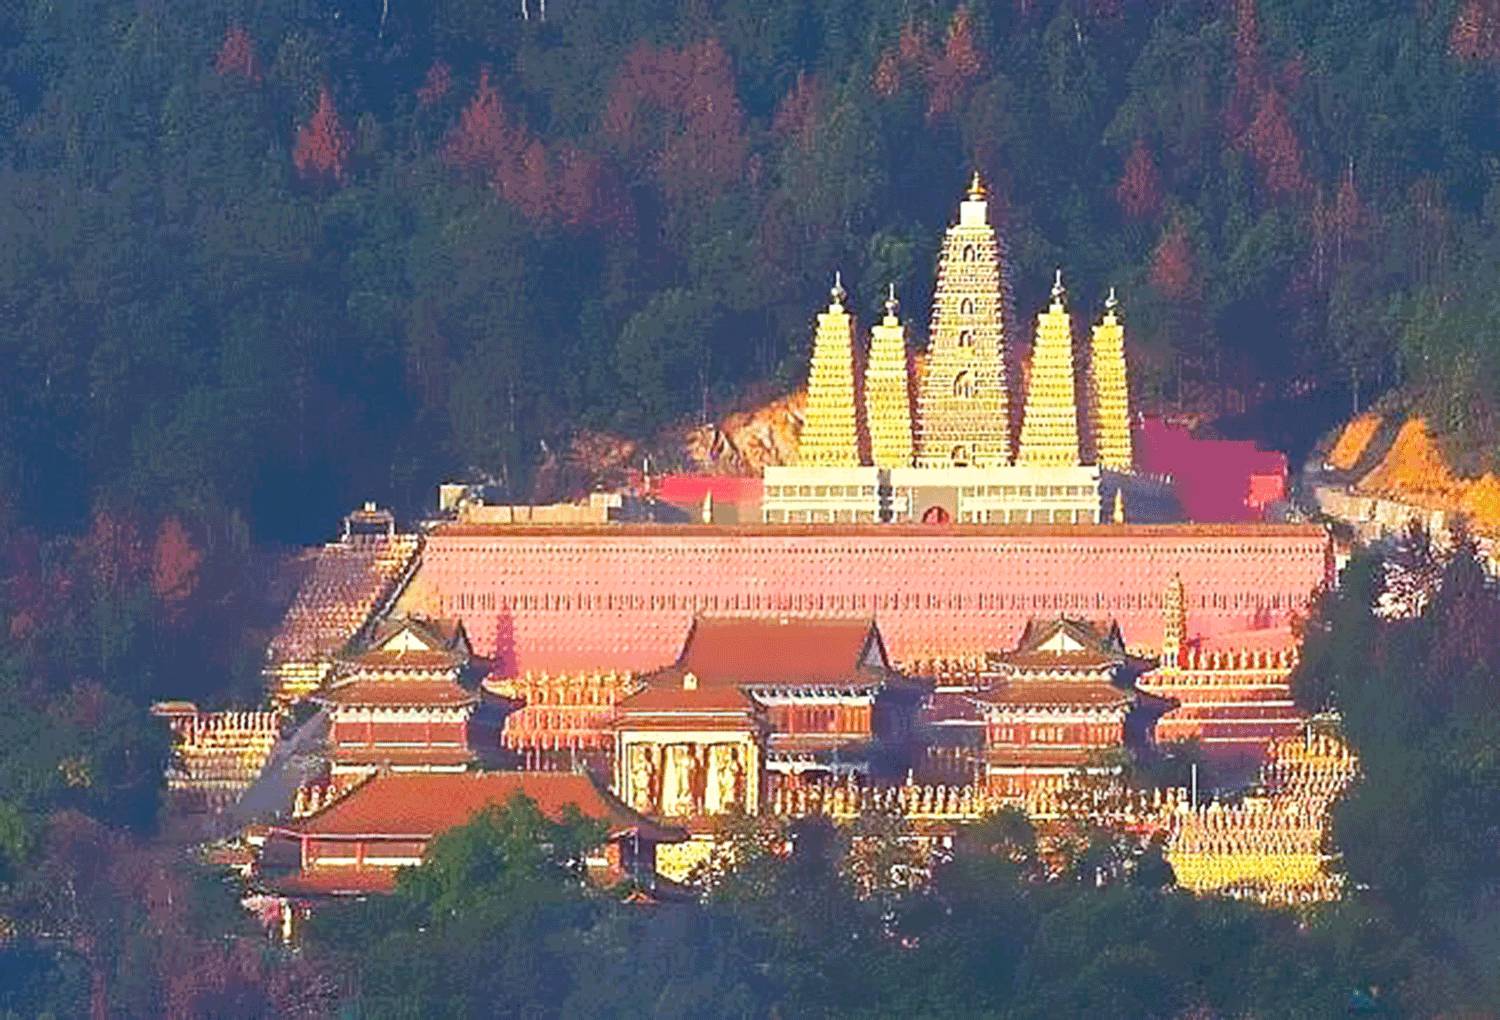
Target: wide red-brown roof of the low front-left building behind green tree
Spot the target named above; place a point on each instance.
(422, 805)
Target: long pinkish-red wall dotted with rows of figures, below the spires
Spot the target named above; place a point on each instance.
(623, 598)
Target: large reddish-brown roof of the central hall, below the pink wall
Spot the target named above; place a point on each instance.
(782, 650)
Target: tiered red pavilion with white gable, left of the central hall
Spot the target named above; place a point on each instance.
(400, 704)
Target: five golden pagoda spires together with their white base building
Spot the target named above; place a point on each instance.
(955, 460)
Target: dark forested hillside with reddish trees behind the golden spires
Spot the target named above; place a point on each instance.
(265, 259)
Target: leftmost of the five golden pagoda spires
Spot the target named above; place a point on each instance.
(830, 430)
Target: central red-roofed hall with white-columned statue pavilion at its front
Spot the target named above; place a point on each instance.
(778, 697)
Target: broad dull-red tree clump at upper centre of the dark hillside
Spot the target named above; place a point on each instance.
(677, 112)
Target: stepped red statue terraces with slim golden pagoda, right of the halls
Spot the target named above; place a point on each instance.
(1231, 692)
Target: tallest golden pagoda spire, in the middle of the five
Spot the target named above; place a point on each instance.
(964, 406)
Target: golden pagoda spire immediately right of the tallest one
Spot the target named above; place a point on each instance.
(1051, 427)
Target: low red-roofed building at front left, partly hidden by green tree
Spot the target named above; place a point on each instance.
(358, 842)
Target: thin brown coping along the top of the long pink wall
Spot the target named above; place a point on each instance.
(1021, 530)
